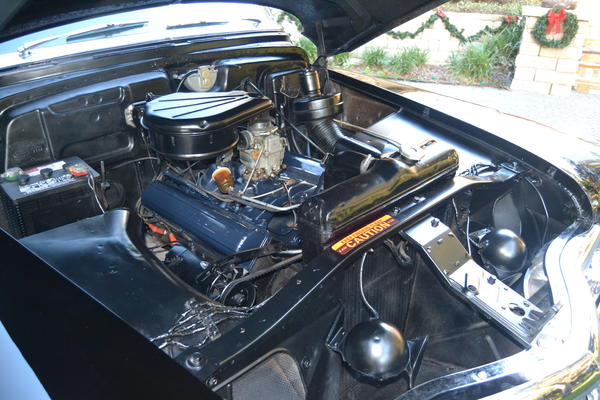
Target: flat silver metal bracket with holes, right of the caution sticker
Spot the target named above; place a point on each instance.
(519, 317)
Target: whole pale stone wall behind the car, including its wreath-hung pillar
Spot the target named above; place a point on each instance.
(539, 70)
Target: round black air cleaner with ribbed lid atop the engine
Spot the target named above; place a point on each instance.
(199, 125)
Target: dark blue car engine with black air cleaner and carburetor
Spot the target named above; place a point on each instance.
(231, 186)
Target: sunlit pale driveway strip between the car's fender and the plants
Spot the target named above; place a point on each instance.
(578, 113)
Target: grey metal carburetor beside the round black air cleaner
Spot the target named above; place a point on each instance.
(261, 150)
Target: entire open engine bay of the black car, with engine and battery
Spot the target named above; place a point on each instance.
(285, 232)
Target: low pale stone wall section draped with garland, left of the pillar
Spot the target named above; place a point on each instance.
(437, 39)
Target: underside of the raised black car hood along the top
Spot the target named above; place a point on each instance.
(345, 24)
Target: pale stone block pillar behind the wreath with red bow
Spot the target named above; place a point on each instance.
(547, 70)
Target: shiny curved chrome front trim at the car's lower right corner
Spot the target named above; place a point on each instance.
(564, 358)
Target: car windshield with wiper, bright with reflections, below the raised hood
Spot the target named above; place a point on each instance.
(172, 21)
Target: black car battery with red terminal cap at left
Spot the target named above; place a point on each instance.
(48, 196)
